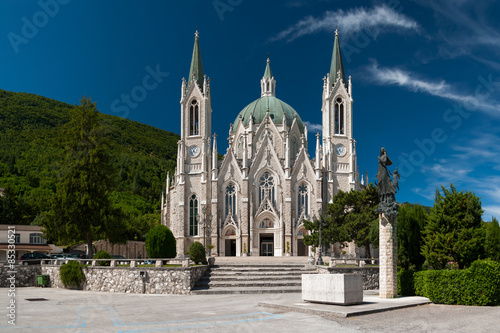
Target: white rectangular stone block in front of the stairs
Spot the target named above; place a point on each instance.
(342, 289)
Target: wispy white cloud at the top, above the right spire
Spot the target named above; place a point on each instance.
(373, 21)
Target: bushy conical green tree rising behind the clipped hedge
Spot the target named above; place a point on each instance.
(453, 231)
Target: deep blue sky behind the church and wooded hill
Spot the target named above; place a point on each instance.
(426, 74)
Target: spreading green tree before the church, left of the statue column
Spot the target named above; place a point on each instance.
(350, 217)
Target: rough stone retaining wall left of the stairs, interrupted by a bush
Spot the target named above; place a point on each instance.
(161, 280)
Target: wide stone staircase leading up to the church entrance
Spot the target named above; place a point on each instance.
(253, 278)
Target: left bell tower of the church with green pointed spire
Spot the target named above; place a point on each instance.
(192, 195)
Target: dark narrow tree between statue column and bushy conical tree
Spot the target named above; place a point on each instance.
(411, 222)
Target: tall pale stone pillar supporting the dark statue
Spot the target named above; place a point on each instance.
(388, 283)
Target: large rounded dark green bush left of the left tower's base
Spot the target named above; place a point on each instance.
(160, 243)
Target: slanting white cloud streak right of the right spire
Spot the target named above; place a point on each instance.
(410, 81)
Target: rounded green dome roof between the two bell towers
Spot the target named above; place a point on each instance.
(277, 108)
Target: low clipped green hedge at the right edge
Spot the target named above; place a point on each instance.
(477, 285)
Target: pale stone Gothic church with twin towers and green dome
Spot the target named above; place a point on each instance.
(253, 201)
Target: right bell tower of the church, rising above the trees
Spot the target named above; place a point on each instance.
(339, 148)
